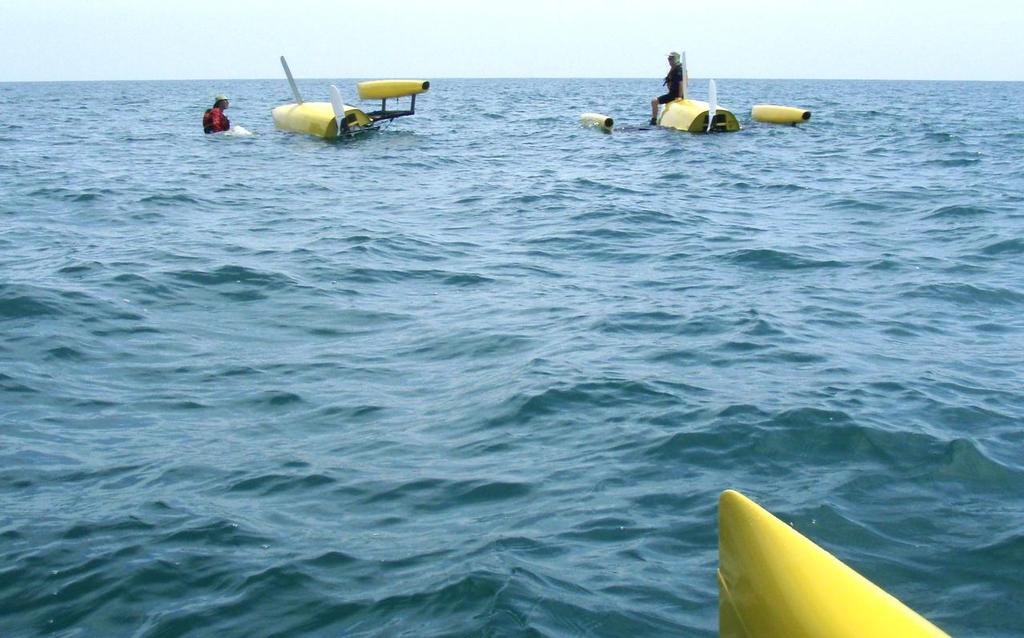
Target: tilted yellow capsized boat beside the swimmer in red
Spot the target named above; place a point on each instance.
(336, 119)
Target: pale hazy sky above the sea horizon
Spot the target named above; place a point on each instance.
(45, 40)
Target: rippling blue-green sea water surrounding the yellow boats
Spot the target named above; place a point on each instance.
(486, 373)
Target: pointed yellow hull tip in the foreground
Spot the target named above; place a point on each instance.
(775, 583)
